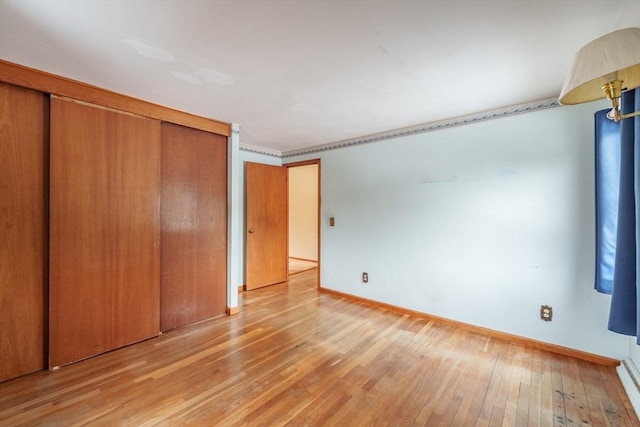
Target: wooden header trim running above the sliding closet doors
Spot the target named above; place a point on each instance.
(30, 78)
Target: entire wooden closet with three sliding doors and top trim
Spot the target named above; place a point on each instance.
(114, 220)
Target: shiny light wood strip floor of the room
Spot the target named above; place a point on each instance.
(296, 357)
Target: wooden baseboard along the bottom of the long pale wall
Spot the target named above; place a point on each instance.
(516, 339)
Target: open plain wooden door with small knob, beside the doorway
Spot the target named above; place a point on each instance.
(266, 260)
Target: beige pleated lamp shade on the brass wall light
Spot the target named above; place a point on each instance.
(614, 56)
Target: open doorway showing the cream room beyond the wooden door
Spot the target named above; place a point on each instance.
(304, 216)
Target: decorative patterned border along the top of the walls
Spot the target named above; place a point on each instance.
(413, 130)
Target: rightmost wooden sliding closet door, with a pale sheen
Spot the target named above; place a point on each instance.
(194, 225)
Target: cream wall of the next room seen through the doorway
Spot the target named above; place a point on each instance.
(303, 212)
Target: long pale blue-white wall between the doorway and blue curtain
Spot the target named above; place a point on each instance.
(481, 223)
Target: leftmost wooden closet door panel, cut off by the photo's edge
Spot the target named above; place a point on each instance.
(22, 218)
